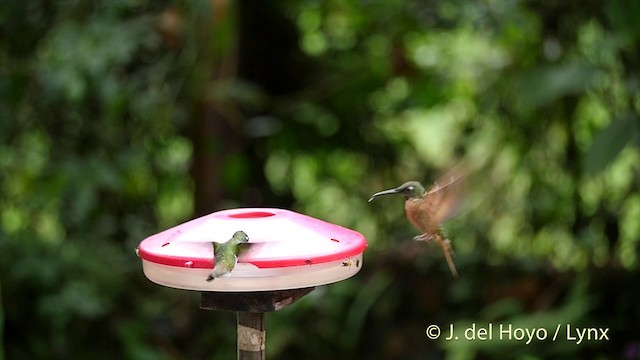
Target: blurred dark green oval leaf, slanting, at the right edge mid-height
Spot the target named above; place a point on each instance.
(608, 143)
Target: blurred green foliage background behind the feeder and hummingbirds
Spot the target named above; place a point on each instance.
(119, 119)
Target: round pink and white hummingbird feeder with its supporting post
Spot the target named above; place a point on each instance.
(293, 253)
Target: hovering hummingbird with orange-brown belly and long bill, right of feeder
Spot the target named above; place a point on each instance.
(426, 210)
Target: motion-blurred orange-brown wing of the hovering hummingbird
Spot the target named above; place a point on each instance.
(443, 198)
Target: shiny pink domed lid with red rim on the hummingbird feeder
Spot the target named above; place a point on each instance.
(286, 237)
